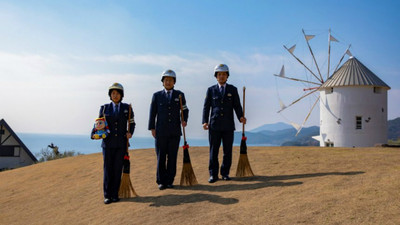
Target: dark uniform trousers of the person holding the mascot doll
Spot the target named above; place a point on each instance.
(113, 162)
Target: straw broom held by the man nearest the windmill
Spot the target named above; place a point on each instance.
(244, 168)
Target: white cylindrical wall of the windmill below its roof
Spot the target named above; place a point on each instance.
(339, 111)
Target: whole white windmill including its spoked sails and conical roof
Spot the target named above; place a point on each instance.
(353, 101)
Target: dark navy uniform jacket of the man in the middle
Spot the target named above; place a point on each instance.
(165, 116)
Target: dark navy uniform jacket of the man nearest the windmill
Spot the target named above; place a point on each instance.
(221, 107)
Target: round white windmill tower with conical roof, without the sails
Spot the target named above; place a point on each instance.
(353, 107)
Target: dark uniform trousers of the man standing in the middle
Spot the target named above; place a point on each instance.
(167, 153)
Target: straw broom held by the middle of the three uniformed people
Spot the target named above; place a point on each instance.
(187, 177)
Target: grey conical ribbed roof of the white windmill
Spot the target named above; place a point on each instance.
(354, 73)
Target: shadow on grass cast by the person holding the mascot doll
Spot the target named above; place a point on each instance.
(174, 200)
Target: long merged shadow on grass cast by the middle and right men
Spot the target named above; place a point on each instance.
(257, 182)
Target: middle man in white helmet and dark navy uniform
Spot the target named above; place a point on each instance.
(165, 126)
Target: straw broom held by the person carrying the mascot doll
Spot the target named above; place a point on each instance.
(126, 185)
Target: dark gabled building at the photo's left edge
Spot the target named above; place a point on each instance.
(13, 152)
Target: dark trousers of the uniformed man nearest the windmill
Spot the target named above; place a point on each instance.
(215, 138)
